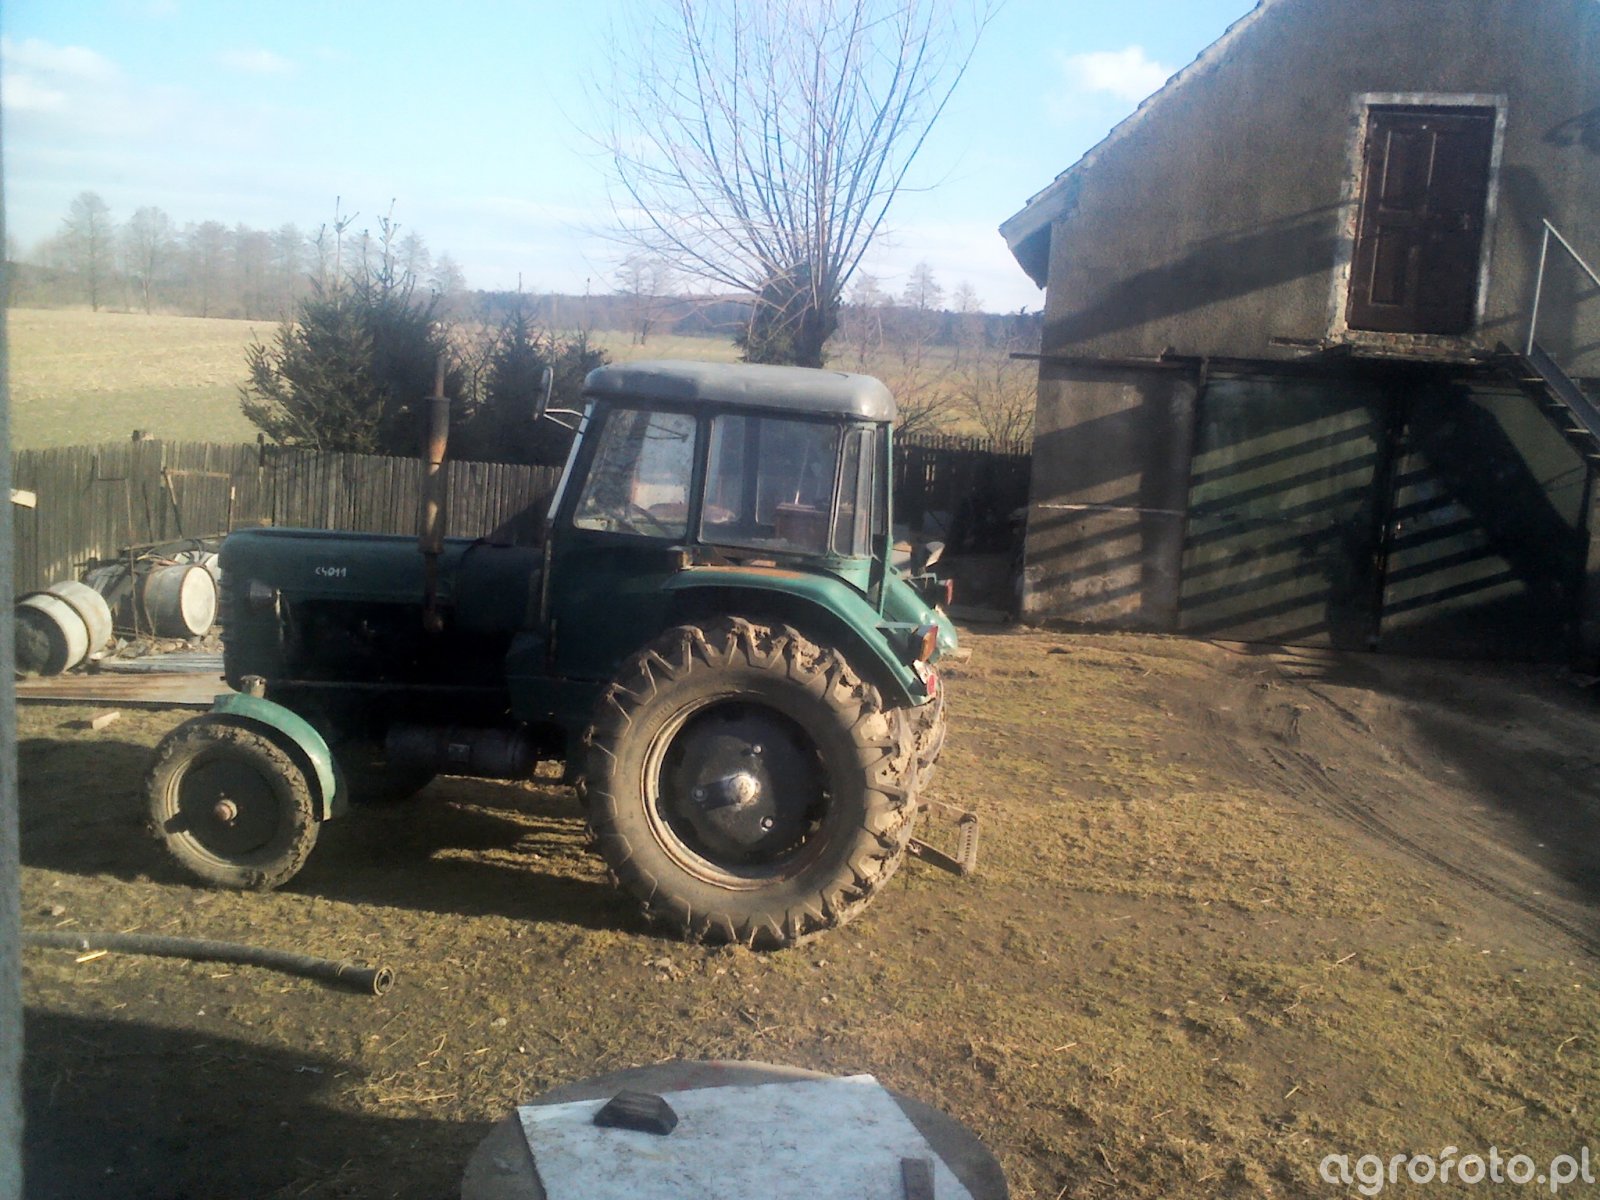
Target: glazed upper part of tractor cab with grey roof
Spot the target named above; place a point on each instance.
(738, 463)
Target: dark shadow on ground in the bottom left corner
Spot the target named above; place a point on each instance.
(132, 1110)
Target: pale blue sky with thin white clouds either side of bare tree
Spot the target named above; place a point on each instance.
(473, 124)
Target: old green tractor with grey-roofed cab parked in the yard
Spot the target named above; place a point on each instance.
(711, 634)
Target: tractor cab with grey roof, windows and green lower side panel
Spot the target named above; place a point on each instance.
(711, 478)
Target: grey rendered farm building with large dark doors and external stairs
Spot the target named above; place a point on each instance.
(1286, 390)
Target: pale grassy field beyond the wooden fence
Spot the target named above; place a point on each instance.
(84, 377)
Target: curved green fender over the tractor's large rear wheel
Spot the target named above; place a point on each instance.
(833, 604)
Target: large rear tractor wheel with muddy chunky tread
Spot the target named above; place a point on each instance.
(746, 786)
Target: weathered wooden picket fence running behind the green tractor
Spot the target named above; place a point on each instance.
(90, 503)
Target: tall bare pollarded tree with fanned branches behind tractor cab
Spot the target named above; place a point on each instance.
(758, 145)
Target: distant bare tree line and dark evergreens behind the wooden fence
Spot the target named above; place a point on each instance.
(366, 316)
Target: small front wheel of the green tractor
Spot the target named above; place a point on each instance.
(231, 806)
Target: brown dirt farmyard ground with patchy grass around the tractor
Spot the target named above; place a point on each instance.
(1238, 910)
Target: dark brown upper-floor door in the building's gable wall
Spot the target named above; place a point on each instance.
(1425, 188)
